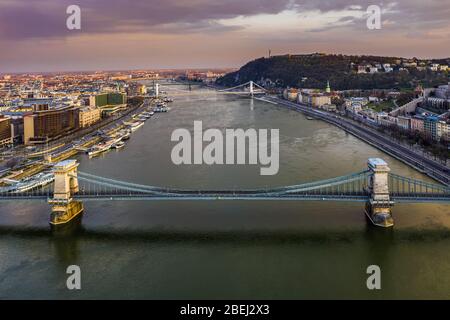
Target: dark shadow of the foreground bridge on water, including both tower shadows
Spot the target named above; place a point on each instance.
(67, 244)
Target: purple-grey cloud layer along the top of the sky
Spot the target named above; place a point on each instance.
(22, 19)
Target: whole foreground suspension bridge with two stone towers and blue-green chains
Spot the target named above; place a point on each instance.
(376, 186)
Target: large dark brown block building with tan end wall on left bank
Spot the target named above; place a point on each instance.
(41, 126)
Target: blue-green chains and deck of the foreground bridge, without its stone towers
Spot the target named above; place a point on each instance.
(353, 185)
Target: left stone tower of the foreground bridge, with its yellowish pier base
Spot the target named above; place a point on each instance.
(64, 207)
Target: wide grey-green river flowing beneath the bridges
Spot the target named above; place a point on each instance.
(225, 249)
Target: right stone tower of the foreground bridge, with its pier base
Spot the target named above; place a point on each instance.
(378, 208)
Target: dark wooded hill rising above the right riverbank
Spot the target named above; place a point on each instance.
(314, 70)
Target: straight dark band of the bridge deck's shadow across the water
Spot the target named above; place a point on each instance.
(76, 231)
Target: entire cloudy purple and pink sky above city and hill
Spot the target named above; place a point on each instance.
(151, 34)
